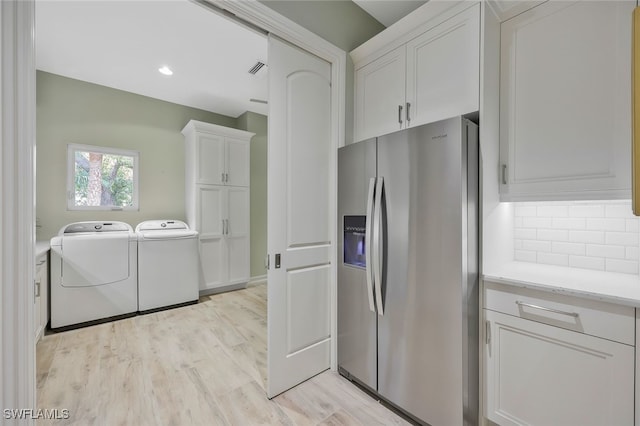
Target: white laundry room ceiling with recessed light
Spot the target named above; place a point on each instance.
(121, 44)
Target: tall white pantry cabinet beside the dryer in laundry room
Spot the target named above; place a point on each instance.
(217, 171)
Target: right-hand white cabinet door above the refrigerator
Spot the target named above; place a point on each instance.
(443, 70)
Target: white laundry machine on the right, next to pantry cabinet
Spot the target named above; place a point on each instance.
(168, 262)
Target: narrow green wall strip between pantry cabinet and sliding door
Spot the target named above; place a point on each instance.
(257, 124)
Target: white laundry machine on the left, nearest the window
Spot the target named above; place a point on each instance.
(93, 273)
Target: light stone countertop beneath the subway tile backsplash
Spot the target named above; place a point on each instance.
(622, 289)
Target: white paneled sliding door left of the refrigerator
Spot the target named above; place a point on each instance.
(299, 216)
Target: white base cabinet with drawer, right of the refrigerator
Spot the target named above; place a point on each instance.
(540, 371)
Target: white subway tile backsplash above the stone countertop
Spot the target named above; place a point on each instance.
(602, 236)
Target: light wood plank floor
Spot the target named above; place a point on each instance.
(204, 364)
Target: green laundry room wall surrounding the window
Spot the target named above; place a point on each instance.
(73, 111)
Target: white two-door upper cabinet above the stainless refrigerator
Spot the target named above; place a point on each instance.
(430, 73)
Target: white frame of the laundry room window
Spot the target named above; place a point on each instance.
(71, 151)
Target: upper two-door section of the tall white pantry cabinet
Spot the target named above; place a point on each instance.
(220, 154)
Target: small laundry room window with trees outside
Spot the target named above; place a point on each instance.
(101, 178)
